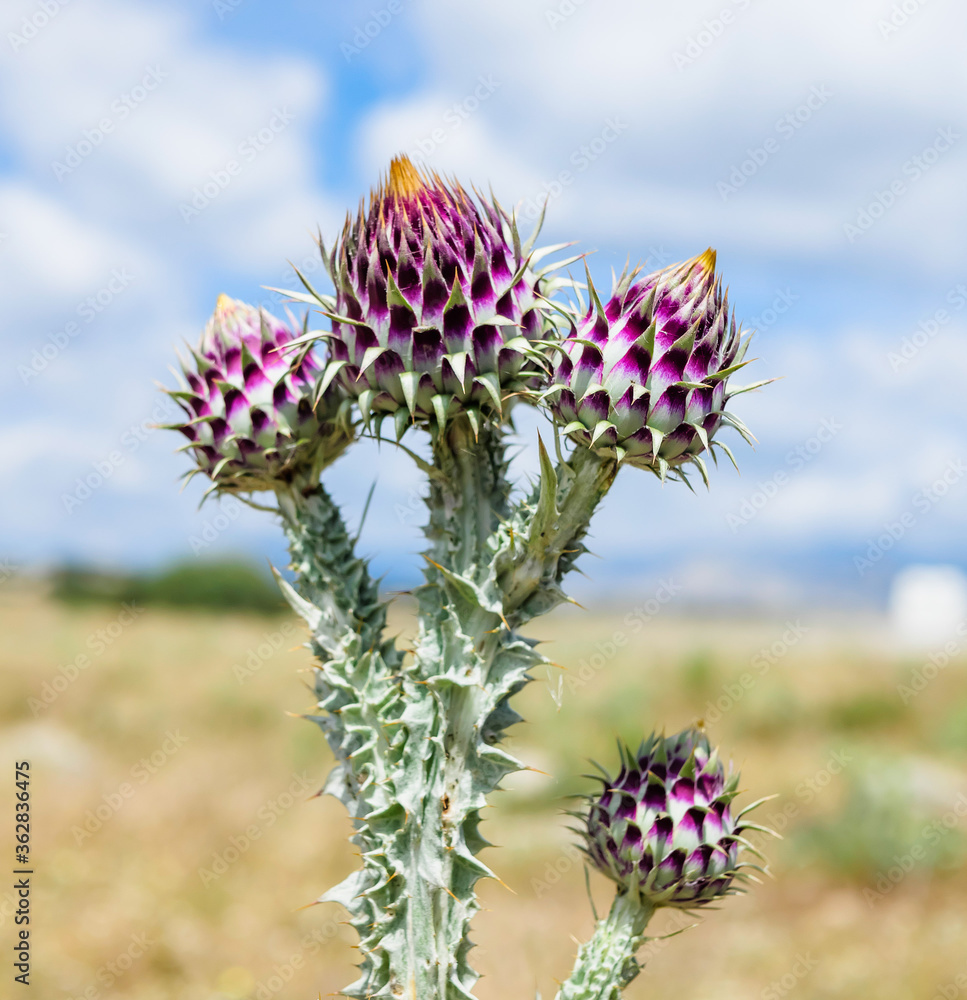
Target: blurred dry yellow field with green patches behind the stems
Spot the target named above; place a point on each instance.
(176, 836)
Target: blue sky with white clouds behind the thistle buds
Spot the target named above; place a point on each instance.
(820, 147)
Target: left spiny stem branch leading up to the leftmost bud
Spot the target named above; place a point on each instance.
(360, 698)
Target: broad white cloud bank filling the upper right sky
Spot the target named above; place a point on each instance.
(561, 78)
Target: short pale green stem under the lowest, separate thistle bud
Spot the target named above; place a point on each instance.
(606, 964)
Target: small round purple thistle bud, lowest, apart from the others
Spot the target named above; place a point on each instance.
(663, 827)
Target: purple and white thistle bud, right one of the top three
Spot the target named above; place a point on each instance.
(644, 376)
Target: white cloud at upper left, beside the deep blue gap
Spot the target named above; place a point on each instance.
(126, 116)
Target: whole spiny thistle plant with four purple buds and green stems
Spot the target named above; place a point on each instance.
(442, 322)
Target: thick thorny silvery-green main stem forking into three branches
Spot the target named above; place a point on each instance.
(418, 740)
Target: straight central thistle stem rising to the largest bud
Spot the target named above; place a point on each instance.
(456, 649)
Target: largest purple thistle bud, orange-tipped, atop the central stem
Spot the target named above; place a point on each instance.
(436, 306)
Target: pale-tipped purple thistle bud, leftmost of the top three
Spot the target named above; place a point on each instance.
(250, 421)
